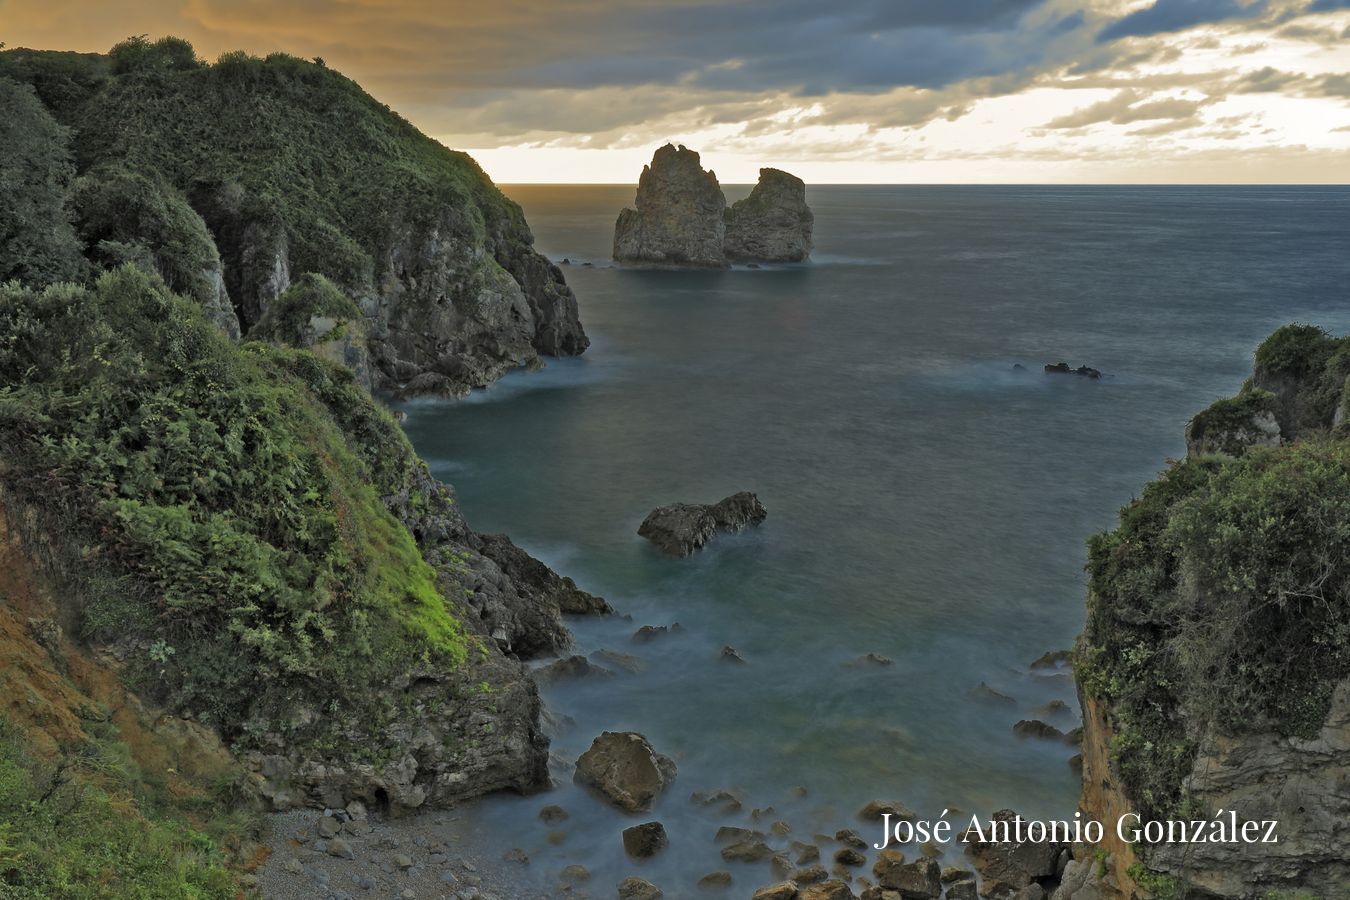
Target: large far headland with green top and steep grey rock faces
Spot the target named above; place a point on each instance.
(236, 179)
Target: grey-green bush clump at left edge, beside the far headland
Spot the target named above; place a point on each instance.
(37, 244)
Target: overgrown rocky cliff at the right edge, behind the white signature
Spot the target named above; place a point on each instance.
(1216, 662)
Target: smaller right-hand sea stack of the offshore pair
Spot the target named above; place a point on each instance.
(774, 223)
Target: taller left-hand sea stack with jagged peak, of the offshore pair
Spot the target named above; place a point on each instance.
(678, 218)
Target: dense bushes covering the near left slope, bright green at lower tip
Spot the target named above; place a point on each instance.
(233, 522)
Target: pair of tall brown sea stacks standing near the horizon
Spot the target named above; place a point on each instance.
(682, 219)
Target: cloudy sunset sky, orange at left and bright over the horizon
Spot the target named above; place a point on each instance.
(834, 91)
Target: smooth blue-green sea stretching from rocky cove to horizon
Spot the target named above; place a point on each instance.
(927, 501)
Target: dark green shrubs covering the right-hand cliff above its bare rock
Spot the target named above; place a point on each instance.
(1224, 597)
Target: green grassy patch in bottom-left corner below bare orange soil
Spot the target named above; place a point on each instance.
(94, 825)
